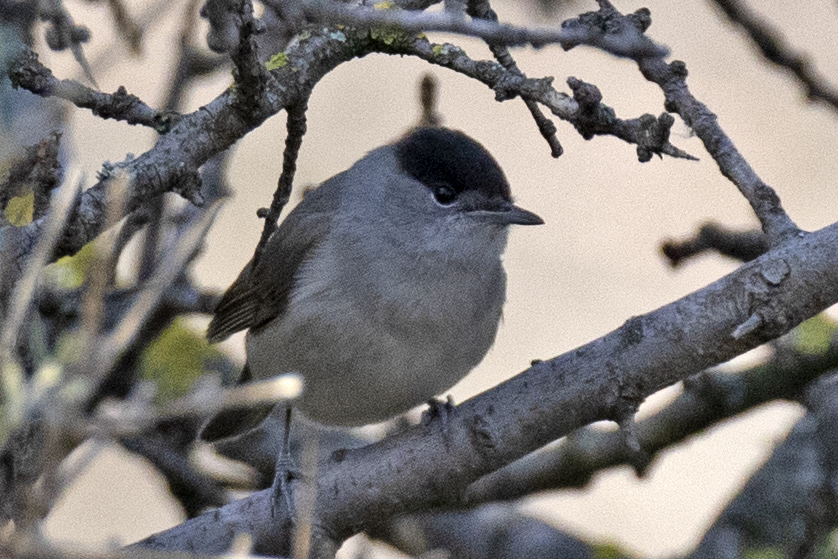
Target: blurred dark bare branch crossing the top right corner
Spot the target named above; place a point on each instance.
(775, 50)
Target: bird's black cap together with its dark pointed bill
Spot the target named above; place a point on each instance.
(455, 168)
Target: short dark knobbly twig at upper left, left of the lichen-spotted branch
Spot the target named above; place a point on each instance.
(28, 73)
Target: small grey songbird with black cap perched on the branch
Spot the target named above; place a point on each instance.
(382, 288)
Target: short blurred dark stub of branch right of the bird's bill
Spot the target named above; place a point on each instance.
(740, 245)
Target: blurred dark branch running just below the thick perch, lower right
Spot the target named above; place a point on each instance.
(708, 398)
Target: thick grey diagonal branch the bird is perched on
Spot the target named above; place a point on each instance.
(427, 466)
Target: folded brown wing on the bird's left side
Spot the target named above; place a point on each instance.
(256, 298)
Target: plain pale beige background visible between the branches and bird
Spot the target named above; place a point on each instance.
(593, 265)
